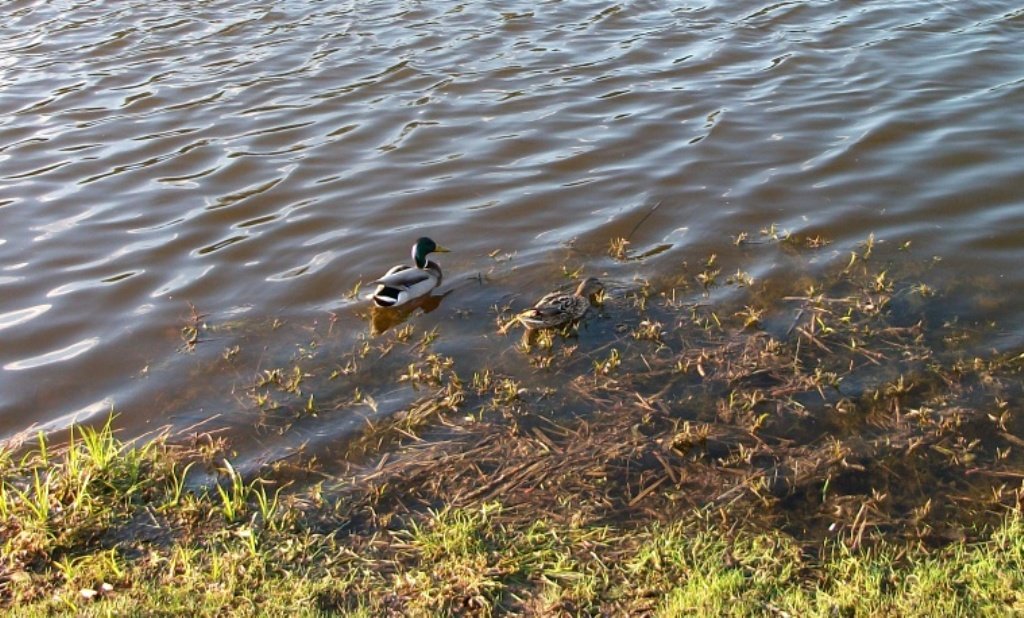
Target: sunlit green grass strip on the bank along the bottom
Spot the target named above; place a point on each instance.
(102, 527)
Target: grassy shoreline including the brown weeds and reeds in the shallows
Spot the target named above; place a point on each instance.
(813, 449)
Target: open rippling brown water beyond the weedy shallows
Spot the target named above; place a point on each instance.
(258, 160)
